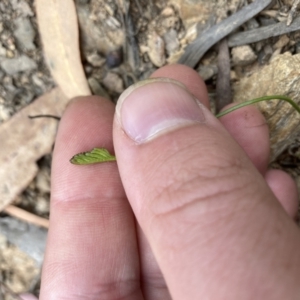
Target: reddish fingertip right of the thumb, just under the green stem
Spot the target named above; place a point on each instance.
(249, 128)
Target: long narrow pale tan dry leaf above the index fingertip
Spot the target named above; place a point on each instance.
(58, 28)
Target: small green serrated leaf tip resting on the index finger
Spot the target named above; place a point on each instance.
(97, 155)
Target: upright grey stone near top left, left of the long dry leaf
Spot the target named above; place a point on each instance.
(24, 33)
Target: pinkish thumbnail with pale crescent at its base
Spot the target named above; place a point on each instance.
(155, 106)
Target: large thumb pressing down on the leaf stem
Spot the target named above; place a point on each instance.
(206, 211)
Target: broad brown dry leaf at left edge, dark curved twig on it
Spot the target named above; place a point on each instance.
(24, 141)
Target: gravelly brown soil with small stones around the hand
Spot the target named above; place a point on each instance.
(138, 39)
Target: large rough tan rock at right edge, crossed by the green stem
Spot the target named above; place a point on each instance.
(280, 77)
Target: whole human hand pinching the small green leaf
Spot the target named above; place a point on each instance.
(210, 226)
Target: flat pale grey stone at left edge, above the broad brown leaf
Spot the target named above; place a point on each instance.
(19, 64)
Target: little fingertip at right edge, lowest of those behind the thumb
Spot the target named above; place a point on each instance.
(285, 190)
